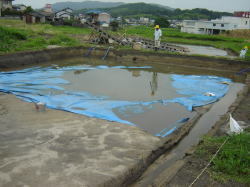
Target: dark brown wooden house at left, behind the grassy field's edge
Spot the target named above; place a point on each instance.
(38, 17)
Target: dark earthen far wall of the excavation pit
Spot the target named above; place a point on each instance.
(38, 57)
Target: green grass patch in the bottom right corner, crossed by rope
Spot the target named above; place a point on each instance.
(233, 161)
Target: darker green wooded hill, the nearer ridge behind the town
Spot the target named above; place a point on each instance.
(153, 11)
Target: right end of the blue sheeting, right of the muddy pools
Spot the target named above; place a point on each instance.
(195, 88)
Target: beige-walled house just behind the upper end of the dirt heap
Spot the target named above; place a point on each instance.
(96, 16)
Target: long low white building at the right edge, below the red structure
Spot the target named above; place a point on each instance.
(226, 23)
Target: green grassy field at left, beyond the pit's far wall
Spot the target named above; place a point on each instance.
(15, 36)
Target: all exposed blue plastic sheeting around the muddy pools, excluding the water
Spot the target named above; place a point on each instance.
(46, 85)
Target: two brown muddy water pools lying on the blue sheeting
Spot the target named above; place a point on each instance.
(133, 85)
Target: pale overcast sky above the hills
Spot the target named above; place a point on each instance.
(218, 5)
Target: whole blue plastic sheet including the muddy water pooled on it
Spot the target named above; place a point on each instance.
(158, 102)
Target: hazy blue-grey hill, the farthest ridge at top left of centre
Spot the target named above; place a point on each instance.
(85, 5)
